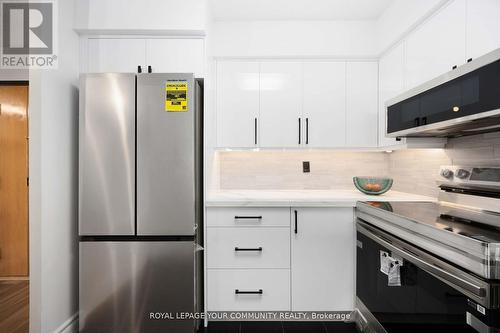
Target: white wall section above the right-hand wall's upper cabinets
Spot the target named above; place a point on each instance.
(401, 17)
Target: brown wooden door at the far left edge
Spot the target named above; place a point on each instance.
(13, 180)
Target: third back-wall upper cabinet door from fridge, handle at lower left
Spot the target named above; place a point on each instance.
(324, 104)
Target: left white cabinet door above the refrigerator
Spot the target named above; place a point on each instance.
(116, 55)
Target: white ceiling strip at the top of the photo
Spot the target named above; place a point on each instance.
(249, 10)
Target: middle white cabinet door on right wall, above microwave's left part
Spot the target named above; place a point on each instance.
(437, 45)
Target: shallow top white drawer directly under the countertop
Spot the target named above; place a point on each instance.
(234, 217)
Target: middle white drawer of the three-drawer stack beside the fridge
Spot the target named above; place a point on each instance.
(248, 248)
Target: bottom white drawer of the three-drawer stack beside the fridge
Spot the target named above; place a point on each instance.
(273, 283)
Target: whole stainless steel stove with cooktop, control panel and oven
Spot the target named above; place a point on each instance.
(432, 266)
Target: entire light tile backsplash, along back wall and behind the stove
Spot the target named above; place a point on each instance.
(413, 170)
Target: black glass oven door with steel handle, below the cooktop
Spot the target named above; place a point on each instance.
(433, 295)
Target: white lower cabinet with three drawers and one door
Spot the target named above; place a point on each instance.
(304, 265)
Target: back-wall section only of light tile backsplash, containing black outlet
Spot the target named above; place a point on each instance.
(272, 170)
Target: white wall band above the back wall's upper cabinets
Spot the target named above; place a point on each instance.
(293, 38)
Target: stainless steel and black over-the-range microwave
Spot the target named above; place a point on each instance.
(464, 101)
